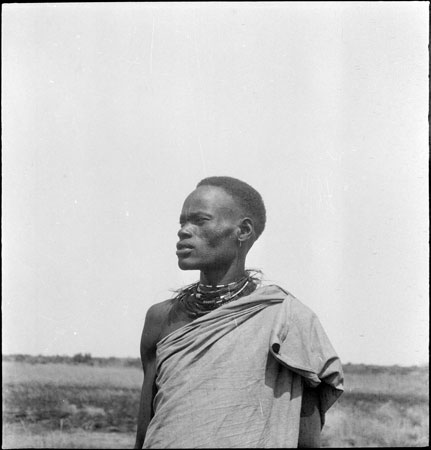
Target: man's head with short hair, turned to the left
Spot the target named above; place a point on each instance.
(220, 221)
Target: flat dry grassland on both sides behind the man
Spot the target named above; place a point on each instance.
(94, 404)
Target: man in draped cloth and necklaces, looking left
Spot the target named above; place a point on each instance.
(229, 362)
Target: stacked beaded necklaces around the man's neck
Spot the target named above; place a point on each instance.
(199, 299)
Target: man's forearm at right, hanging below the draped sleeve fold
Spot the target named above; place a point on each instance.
(310, 423)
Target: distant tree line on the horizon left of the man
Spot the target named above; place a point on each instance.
(78, 358)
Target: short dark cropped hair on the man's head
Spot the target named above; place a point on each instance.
(248, 198)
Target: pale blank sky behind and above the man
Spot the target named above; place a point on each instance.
(112, 112)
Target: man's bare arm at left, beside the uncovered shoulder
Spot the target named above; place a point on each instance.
(149, 339)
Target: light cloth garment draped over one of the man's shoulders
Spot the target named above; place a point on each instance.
(233, 378)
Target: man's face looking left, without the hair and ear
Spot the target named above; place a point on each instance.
(209, 230)
